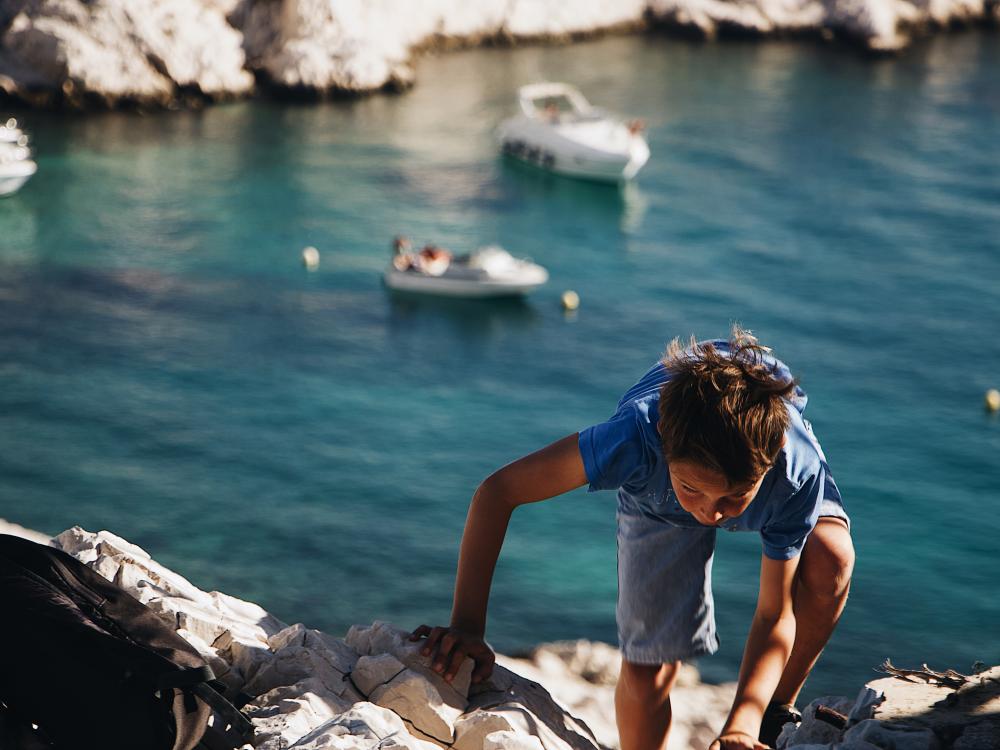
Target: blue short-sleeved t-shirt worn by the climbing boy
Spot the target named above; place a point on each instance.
(624, 453)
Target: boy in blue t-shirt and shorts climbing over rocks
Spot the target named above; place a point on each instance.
(711, 437)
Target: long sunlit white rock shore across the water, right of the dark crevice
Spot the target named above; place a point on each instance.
(354, 45)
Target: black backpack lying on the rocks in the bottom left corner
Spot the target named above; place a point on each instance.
(83, 664)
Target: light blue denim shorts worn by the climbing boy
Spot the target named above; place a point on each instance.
(665, 608)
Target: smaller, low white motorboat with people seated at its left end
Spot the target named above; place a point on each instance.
(488, 272)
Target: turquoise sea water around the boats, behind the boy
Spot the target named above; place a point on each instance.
(169, 371)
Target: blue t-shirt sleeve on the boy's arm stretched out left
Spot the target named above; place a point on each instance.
(613, 452)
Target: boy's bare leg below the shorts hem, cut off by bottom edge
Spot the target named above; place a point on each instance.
(642, 704)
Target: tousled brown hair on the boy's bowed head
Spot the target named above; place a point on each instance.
(723, 411)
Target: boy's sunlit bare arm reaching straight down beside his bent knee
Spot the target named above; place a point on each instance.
(768, 647)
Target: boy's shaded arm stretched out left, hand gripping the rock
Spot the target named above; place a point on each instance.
(551, 471)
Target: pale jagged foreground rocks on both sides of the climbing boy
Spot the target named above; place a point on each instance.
(308, 690)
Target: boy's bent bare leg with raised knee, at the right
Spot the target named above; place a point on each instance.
(824, 578)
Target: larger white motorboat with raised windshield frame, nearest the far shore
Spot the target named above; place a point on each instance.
(559, 130)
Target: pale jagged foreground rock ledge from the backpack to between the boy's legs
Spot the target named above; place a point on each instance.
(306, 689)
